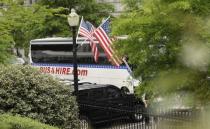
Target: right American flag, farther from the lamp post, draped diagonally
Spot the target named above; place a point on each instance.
(101, 34)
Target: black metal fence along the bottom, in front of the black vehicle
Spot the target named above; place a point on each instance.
(144, 119)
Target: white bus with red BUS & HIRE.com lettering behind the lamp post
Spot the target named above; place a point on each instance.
(54, 56)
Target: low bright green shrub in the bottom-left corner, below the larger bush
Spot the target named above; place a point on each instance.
(17, 122)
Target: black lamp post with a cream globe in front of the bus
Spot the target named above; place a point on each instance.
(73, 20)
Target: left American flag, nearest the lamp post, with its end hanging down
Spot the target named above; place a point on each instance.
(86, 29)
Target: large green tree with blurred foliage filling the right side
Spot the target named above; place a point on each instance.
(169, 43)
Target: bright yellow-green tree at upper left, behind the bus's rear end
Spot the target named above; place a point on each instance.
(19, 24)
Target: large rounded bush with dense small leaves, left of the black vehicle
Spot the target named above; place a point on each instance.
(24, 91)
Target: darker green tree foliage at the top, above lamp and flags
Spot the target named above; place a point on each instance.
(90, 9)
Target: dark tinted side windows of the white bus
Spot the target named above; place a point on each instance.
(62, 53)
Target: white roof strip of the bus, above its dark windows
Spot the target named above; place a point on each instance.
(60, 40)
